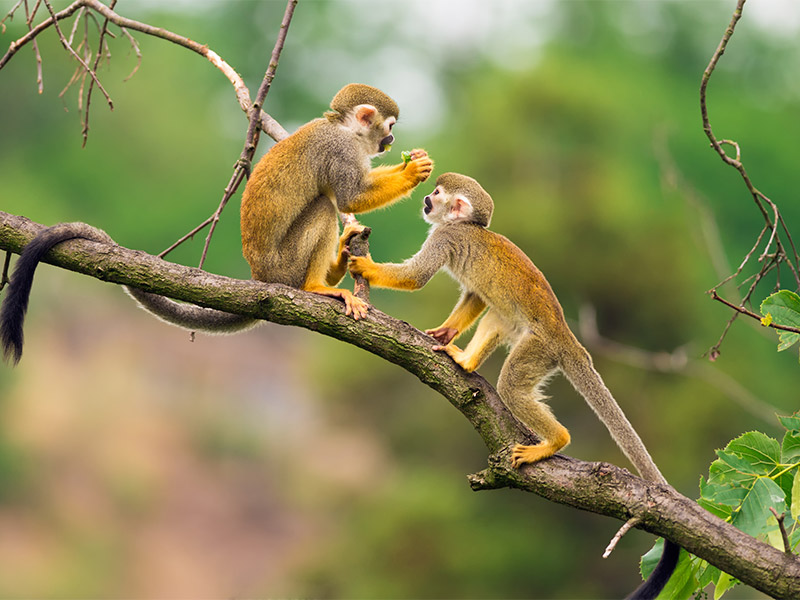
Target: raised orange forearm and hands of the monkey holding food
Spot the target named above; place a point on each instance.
(386, 184)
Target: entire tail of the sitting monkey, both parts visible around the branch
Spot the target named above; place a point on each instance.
(15, 302)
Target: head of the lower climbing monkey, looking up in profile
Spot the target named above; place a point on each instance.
(458, 198)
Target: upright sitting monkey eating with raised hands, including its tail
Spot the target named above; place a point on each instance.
(290, 205)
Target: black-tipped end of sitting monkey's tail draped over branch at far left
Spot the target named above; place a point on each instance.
(15, 303)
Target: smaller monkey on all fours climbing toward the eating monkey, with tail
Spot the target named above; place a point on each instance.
(523, 312)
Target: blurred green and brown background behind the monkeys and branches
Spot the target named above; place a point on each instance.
(135, 463)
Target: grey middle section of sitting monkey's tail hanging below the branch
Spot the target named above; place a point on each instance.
(189, 316)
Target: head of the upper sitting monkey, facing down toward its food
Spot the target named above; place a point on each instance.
(368, 112)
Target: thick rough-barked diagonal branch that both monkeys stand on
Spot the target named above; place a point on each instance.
(599, 487)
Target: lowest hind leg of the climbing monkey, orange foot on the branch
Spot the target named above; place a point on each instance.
(525, 372)
